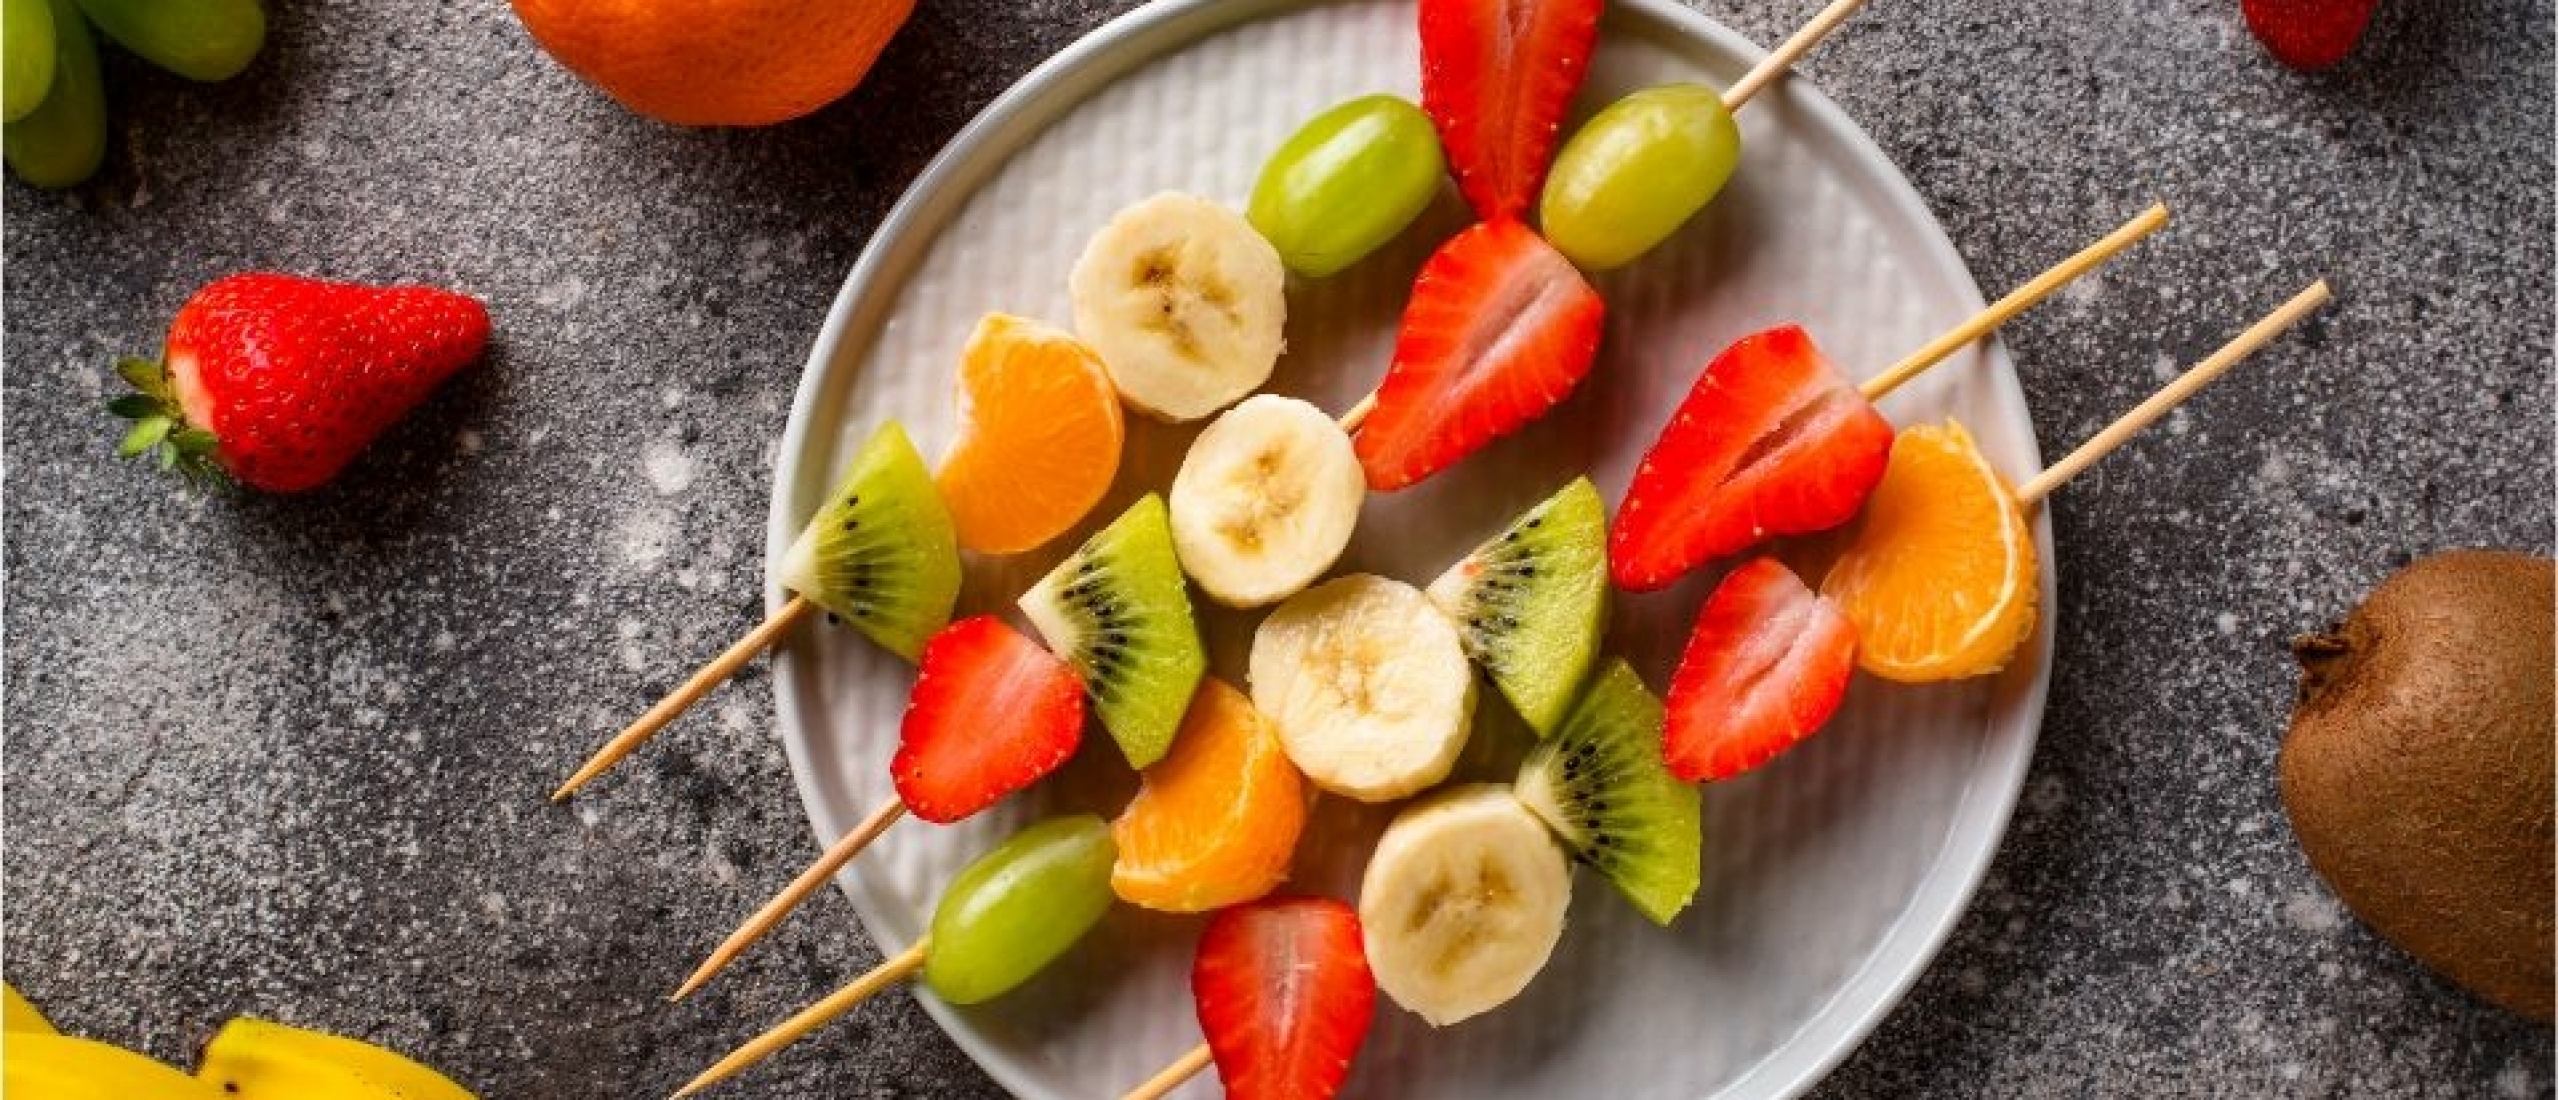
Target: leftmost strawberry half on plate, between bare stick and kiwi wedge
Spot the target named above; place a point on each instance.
(991, 715)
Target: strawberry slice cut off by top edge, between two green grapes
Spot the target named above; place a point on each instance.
(1498, 78)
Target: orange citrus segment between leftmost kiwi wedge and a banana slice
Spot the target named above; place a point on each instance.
(1040, 436)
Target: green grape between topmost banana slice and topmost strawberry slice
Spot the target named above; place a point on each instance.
(1347, 183)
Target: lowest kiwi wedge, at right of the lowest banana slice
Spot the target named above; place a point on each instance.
(1603, 789)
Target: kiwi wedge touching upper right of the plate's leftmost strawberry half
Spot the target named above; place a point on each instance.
(1119, 613)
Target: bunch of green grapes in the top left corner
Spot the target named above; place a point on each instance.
(52, 101)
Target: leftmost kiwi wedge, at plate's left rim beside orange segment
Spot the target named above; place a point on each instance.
(881, 554)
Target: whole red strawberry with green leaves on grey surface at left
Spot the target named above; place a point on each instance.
(285, 380)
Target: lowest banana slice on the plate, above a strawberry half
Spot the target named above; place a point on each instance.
(1462, 904)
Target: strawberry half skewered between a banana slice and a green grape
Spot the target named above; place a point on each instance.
(1498, 331)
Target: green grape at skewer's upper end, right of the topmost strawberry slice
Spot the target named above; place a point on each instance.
(1636, 173)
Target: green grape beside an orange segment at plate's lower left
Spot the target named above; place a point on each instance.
(1019, 907)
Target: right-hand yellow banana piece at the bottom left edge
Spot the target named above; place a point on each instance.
(267, 1060)
